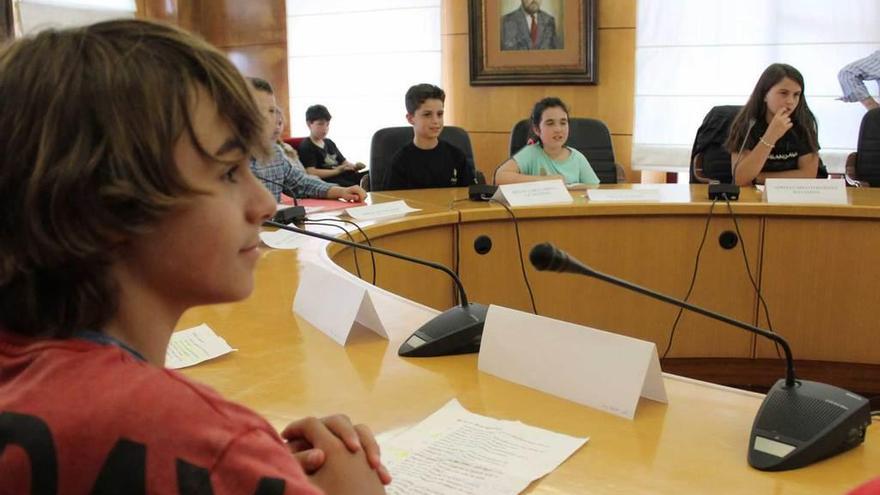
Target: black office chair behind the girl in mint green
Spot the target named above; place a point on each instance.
(590, 137)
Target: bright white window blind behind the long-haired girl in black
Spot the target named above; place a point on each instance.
(694, 54)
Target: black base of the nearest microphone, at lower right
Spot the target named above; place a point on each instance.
(810, 421)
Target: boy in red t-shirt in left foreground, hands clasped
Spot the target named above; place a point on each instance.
(126, 199)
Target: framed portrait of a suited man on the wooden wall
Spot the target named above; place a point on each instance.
(515, 42)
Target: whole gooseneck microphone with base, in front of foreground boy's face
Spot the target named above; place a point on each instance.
(457, 330)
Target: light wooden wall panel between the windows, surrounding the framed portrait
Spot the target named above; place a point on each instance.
(487, 111)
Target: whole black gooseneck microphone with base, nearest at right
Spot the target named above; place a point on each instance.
(799, 422)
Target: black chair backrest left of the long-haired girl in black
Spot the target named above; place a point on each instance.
(709, 143)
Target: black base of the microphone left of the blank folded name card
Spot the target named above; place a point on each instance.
(457, 330)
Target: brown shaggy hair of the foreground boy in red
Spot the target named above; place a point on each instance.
(88, 122)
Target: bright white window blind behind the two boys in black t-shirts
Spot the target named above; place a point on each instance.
(358, 58)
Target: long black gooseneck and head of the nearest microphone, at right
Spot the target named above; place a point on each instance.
(546, 257)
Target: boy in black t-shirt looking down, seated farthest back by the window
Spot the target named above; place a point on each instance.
(320, 156)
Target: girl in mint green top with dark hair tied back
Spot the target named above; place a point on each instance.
(550, 158)
